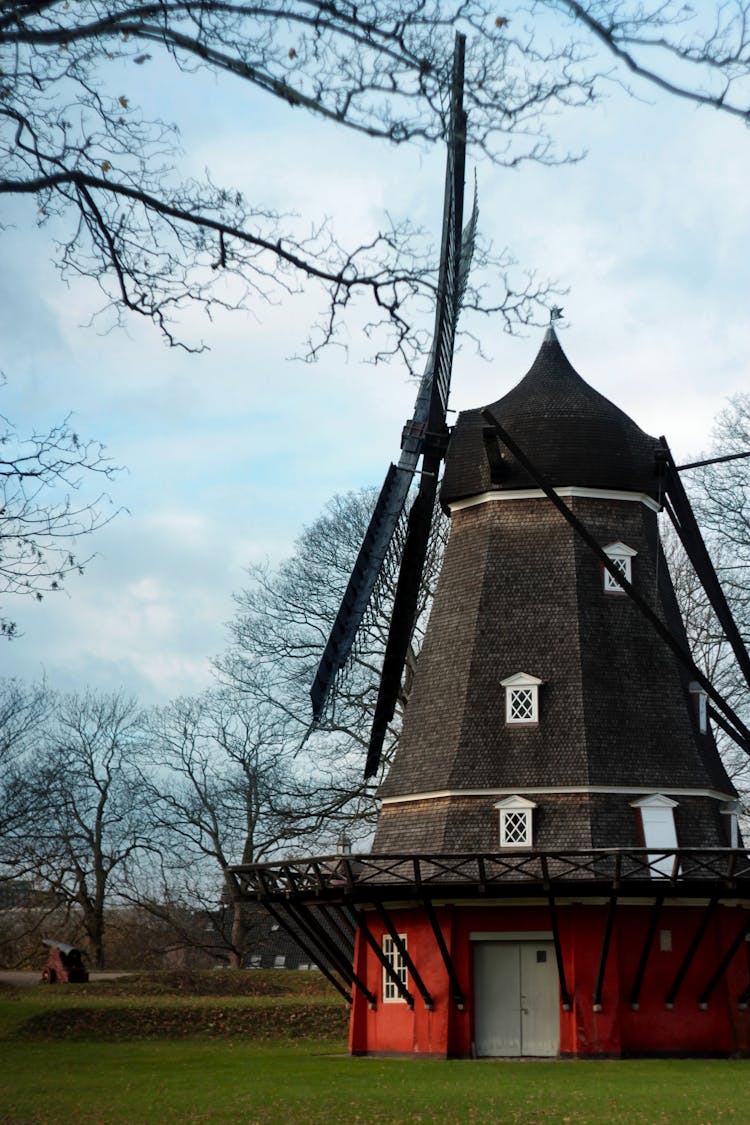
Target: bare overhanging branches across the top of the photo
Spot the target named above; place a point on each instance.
(156, 241)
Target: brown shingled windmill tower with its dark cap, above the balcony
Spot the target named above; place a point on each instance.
(521, 593)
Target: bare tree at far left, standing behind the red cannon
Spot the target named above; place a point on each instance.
(94, 823)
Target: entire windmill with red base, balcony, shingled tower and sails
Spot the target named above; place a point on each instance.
(557, 868)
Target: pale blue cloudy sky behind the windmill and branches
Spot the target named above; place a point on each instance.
(228, 455)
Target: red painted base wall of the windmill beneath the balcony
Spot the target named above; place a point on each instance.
(724, 1029)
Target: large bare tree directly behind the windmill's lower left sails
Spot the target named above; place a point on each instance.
(279, 632)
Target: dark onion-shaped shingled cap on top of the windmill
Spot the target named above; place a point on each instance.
(572, 434)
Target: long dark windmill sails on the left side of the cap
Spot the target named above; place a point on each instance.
(424, 436)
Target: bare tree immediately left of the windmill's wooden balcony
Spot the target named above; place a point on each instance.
(225, 789)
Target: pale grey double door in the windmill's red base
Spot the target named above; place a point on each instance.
(517, 1000)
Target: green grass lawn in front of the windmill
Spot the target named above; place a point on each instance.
(216, 1076)
